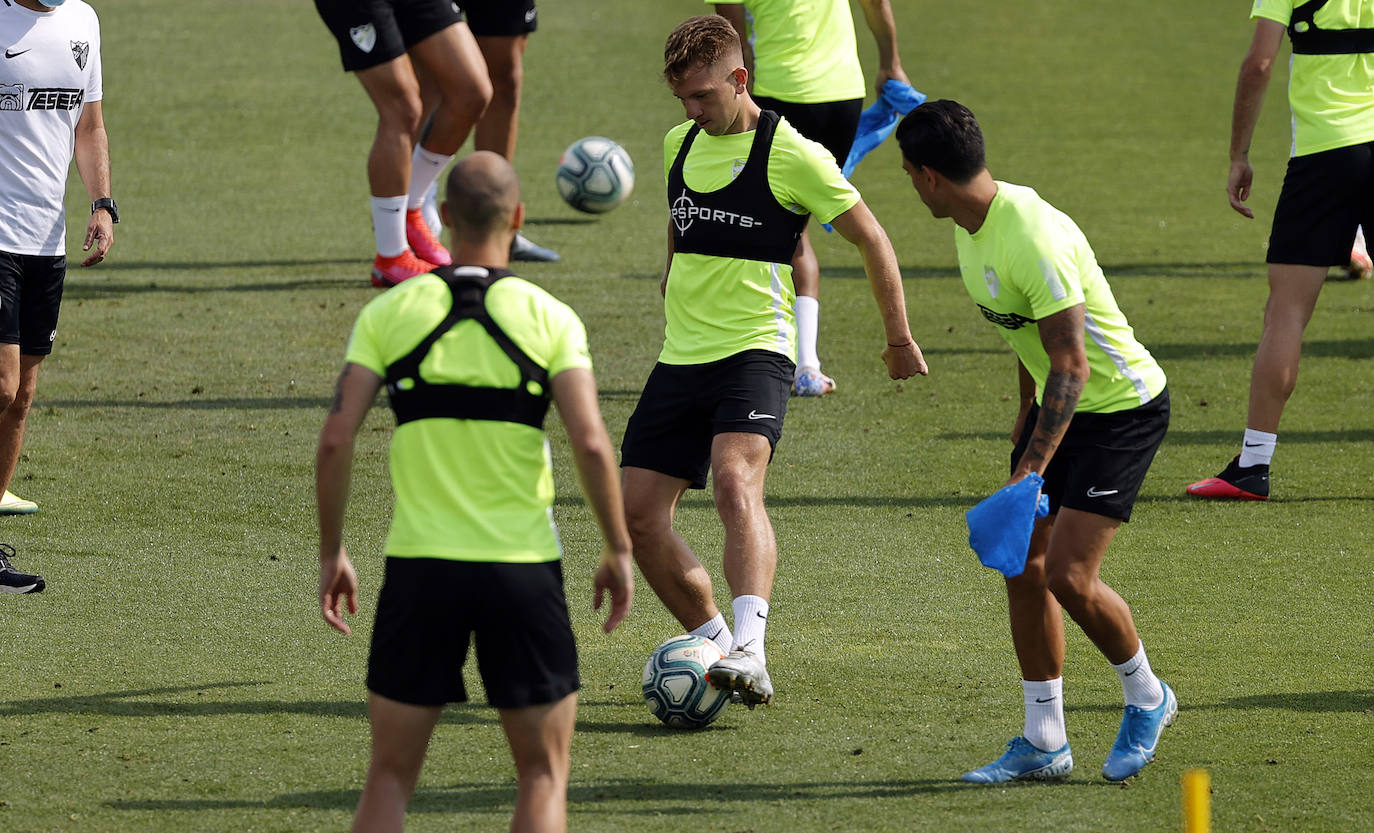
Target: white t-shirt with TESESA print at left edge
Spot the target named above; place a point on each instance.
(50, 69)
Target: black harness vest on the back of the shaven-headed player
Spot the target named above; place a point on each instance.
(413, 398)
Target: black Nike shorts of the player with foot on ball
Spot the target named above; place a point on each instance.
(685, 406)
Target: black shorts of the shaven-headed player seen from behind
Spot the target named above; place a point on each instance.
(428, 611)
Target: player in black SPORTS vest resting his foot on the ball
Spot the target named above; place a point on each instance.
(741, 185)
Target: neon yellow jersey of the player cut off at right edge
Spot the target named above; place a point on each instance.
(1332, 96)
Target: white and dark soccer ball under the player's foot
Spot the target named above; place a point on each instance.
(675, 682)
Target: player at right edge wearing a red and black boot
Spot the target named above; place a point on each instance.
(1328, 193)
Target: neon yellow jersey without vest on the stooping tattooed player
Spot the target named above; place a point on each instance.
(1028, 262)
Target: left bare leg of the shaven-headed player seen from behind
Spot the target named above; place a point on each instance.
(401, 737)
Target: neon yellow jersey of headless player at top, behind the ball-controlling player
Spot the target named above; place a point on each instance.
(804, 50)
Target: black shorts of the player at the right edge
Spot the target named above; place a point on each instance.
(1325, 197)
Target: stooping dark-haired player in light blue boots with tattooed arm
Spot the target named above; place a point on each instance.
(1094, 409)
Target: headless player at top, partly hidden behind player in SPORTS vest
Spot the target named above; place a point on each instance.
(806, 69)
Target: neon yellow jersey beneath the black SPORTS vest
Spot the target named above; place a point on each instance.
(718, 307)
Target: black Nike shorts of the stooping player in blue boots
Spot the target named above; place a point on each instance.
(1103, 460)
